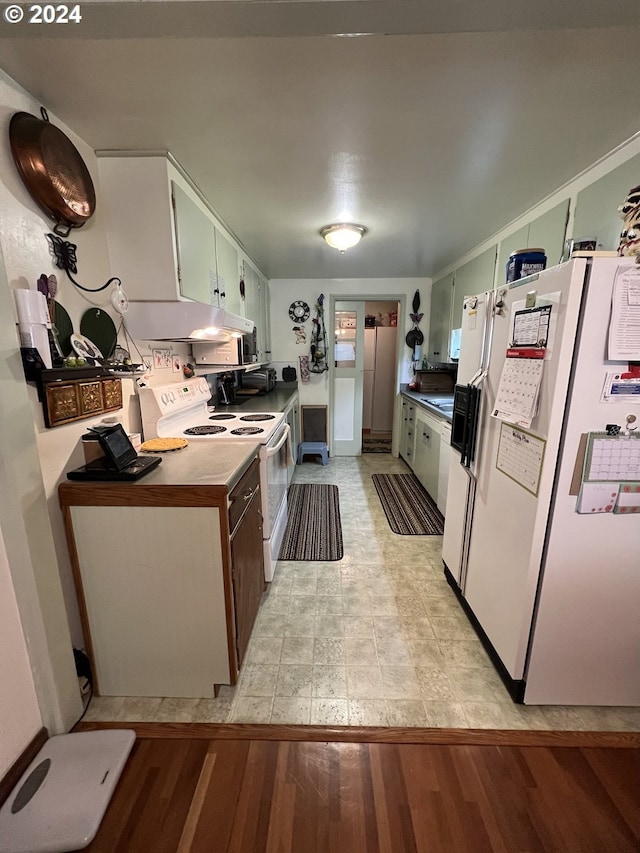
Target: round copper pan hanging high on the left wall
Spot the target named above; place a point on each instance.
(52, 170)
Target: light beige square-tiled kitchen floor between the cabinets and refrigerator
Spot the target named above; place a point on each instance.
(377, 638)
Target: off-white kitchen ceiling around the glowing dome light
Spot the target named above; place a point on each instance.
(436, 127)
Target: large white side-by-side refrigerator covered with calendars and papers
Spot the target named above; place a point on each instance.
(550, 582)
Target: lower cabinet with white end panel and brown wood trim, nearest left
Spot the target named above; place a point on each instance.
(169, 582)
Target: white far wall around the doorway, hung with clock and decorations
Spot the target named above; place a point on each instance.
(285, 350)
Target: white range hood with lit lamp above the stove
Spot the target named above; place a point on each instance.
(183, 321)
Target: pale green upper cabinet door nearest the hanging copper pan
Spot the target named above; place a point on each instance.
(195, 244)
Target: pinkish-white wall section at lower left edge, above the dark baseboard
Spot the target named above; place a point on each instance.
(20, 716)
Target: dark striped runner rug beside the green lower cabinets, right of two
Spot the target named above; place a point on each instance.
(409, 509)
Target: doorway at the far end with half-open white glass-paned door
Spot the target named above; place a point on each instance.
(364, 370)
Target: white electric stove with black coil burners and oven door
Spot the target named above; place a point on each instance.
(181, 410)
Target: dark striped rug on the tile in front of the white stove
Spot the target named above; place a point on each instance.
(314, 531)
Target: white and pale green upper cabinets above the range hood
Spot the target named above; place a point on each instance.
(165, 243)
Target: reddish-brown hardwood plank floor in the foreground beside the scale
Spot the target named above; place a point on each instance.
(250, 789)
